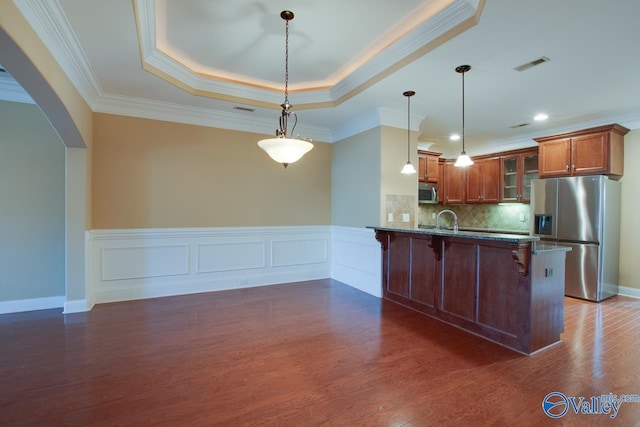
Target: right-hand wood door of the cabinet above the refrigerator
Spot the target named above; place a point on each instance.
(590, 154)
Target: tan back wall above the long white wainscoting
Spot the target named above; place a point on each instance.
(156, 174)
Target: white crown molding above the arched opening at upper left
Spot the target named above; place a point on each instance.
(49, 22)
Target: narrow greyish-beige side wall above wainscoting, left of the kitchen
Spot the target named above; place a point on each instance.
(355, 193)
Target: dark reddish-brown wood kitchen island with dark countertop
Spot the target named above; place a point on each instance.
(503, 287)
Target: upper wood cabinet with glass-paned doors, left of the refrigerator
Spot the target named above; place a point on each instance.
(517, 169)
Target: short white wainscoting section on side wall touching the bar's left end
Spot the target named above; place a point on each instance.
(356, 259)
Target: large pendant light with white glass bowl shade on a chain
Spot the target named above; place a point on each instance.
(284, 149)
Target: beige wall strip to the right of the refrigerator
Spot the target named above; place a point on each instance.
(629, 223)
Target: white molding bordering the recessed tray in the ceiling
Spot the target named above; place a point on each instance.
(452, 19)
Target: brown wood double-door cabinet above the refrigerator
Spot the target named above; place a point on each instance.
(595, 151)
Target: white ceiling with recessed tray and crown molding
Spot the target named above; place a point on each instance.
(350, 61)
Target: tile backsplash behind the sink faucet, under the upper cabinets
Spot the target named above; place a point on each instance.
(498, 217)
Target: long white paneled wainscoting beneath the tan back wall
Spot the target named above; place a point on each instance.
(148, 263)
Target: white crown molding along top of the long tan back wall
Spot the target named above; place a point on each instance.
(156, 110)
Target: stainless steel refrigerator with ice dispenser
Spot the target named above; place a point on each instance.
(582, 213)
